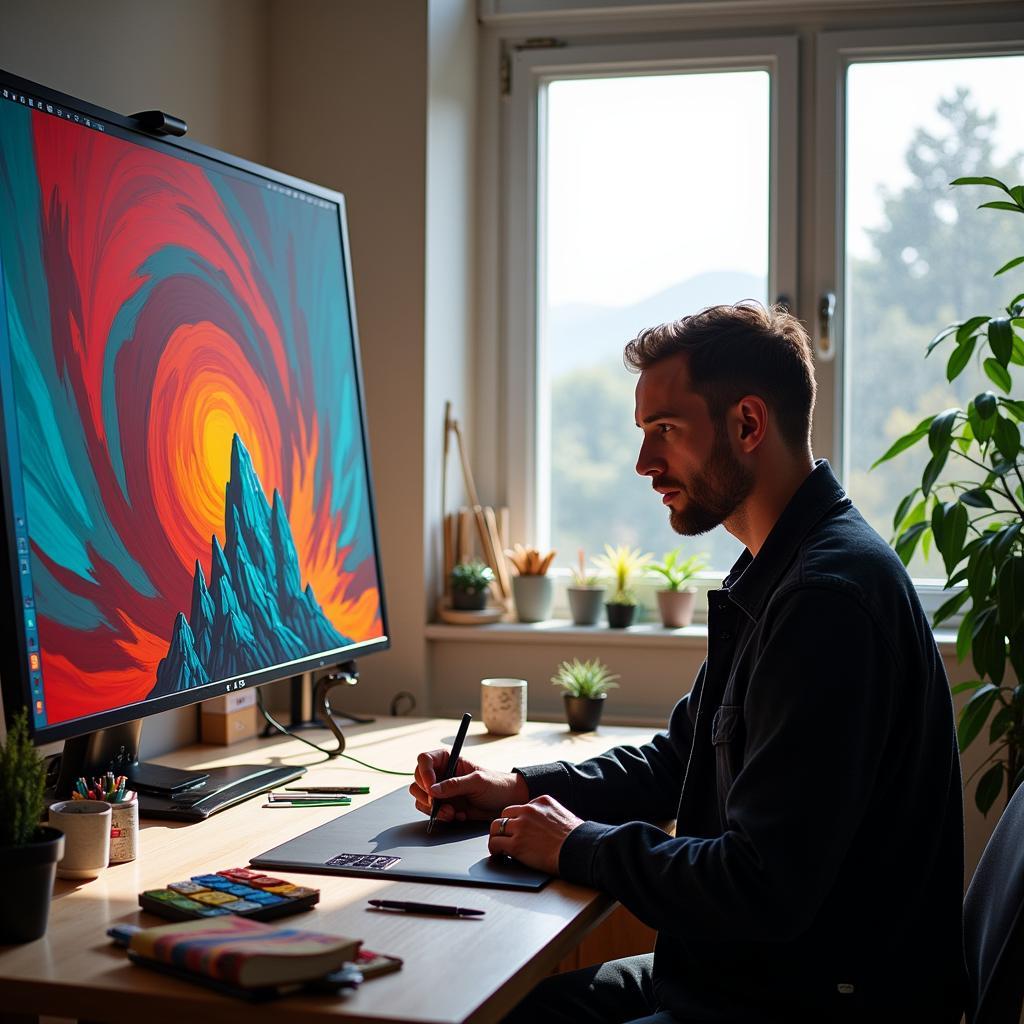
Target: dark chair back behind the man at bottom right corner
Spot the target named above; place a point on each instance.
(994, 924)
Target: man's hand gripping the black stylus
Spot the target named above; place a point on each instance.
(474, 793)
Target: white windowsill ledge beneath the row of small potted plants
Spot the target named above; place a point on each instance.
(561, 631)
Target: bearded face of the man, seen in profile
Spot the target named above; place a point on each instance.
(688, 456)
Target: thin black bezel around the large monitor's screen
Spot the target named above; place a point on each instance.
(16, 681)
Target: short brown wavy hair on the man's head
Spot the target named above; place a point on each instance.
(739, 351)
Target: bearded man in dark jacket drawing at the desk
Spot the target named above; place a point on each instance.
(813, 773)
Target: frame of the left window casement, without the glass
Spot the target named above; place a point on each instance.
(527, 432)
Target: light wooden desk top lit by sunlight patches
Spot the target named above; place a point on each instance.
(75, 972)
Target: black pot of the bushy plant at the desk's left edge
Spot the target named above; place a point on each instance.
(28, 873)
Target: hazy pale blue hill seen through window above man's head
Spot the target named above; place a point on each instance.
(582, 335)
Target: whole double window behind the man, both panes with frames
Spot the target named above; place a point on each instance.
(612, 153)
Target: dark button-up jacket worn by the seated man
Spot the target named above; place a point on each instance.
(818, 867)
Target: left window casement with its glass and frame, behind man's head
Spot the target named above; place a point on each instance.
(658, 185)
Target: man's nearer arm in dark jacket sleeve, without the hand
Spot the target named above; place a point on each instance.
(818, 717)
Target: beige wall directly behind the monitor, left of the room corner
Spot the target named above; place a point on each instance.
(203, 60)
